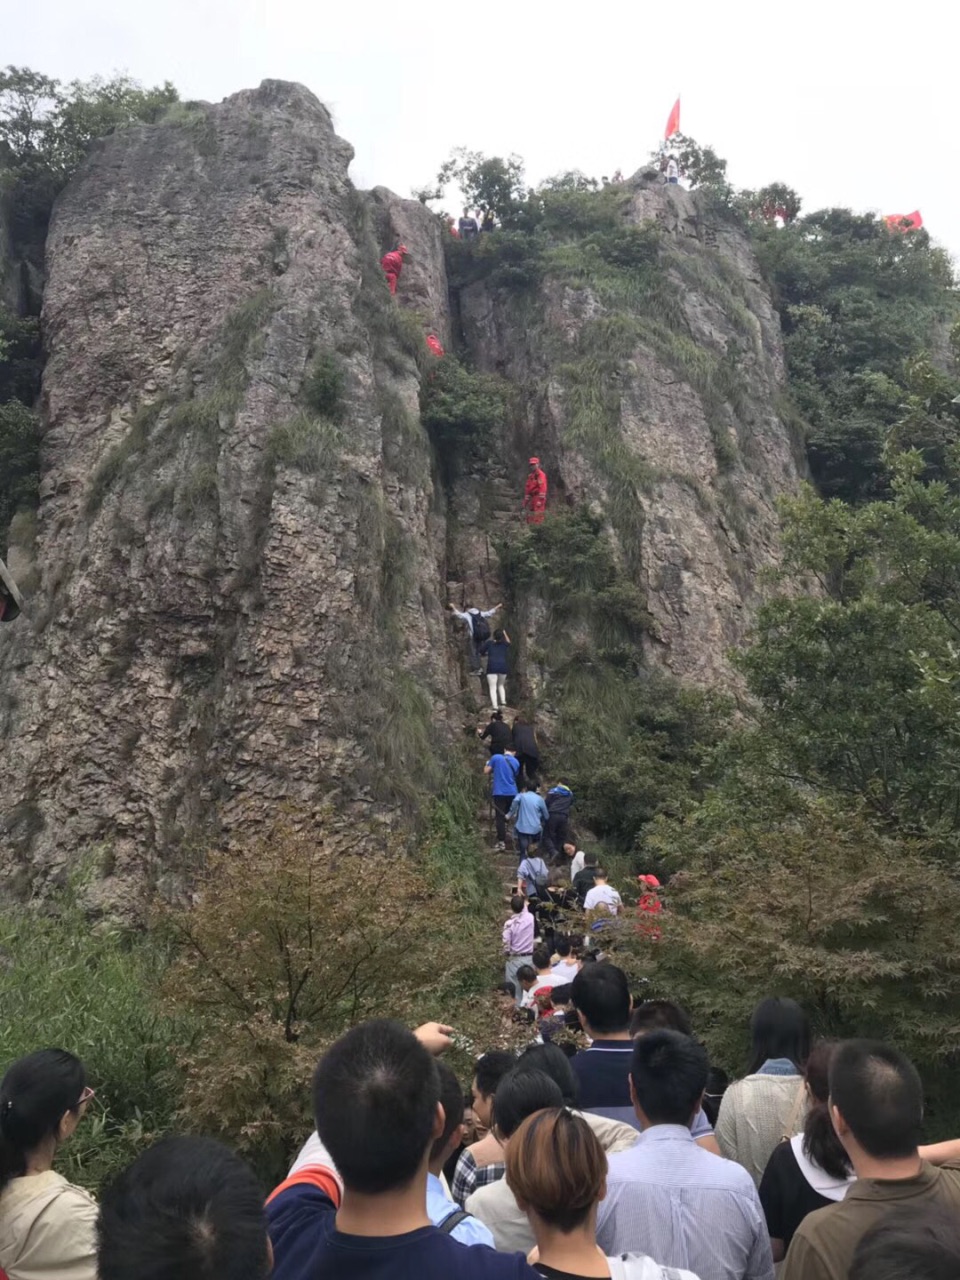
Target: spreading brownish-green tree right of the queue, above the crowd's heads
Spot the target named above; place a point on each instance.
(781, 893)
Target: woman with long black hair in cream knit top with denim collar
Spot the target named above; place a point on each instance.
(769, 1104)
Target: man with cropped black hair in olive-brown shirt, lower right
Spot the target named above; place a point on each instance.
(876, 1101)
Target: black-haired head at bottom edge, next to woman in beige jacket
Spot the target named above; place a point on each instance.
(185, 1210)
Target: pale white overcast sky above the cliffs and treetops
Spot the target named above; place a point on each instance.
(852, 104)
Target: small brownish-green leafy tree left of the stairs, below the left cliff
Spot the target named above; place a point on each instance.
(292, 940)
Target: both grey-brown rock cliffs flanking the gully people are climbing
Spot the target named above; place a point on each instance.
(244, 547)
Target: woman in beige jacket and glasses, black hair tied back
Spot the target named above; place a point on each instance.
(48, 1227)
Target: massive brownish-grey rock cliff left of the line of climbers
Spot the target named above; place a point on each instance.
(231, 561)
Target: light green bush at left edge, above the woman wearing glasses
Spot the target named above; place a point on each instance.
(93, 990)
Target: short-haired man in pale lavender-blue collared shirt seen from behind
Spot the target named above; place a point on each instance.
(669, 1199)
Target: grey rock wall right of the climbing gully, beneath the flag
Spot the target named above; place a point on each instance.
(659, 408)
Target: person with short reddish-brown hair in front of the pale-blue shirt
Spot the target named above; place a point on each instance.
(557, 1172)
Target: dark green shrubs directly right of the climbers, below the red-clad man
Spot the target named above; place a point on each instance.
(632, 743)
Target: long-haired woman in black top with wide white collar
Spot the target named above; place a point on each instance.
(812, 1171)
